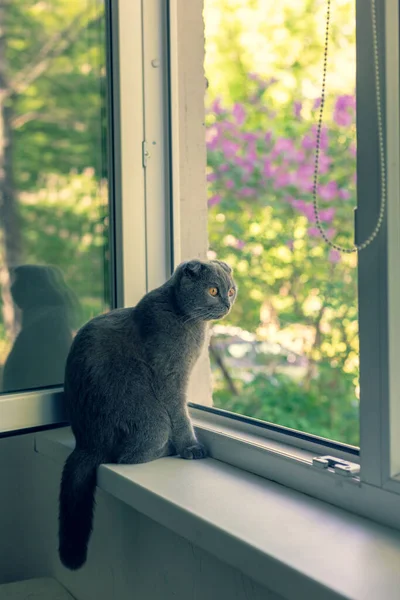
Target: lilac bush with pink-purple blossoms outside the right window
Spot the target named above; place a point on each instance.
(261, 220)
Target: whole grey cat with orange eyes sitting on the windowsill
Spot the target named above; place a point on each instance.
(126, 380)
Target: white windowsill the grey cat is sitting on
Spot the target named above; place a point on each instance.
(295, 545)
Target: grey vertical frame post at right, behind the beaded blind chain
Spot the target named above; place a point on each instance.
(372, 275)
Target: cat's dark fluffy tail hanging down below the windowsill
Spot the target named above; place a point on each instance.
(78, 486)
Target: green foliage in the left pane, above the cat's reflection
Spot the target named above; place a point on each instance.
(55, 79)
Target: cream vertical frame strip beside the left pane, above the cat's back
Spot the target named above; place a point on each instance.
(130, 199)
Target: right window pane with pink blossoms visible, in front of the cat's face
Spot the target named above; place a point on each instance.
(288, 353)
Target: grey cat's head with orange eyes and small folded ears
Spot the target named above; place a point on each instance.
(205, 290)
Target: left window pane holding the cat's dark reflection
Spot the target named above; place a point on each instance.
(54, 254)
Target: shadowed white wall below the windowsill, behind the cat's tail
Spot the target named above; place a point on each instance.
(131, 556)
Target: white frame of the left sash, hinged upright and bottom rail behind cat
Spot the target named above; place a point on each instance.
(138, 95)
